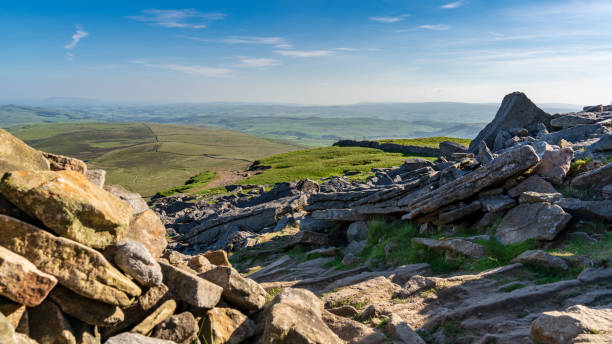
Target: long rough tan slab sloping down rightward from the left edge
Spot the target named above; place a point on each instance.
(64, 259)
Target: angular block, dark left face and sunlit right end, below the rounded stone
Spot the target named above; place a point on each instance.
(190, 288)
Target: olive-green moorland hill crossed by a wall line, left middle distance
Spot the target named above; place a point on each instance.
(147, 157)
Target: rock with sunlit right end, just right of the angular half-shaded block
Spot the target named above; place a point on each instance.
(243, 293)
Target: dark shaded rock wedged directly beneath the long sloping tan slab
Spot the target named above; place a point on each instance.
(86, 310)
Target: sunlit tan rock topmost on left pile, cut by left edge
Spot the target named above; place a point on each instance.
(15, 155)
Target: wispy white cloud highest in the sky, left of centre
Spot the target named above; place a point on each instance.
(183, 19)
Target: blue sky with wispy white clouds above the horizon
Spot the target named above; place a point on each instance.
(307, 52)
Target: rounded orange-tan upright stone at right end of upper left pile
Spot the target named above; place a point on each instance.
(147, 229)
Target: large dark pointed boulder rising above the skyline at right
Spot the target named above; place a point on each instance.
(516, 111)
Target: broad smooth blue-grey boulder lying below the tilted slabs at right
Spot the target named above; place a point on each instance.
(540, 221)
